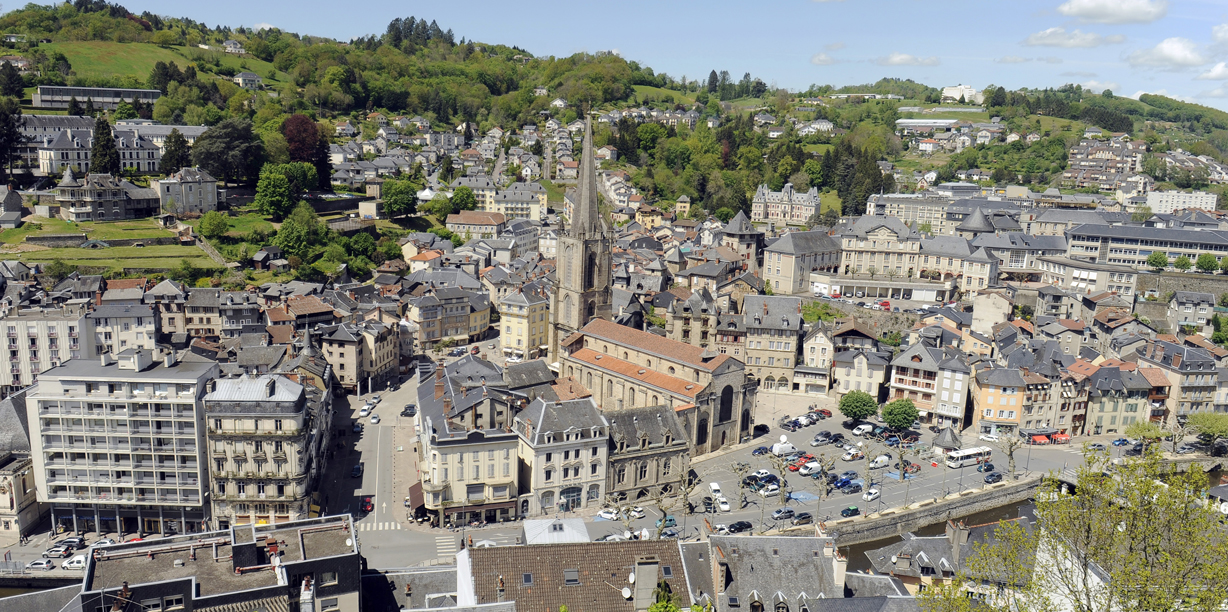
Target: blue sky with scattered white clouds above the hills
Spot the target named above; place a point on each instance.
(1173, 47)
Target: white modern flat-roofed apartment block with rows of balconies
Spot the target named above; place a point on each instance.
(121, 443)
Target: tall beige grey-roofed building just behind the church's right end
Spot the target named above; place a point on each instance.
(774, 339)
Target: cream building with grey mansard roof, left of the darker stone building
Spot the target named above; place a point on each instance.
(564, 453)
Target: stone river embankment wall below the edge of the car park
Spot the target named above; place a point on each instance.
(900, 522)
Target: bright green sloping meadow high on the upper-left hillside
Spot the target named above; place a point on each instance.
(104, 58)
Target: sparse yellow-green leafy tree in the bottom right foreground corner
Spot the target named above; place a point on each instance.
(1140, 539)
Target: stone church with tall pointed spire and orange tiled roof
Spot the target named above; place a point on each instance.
(712, 394)
